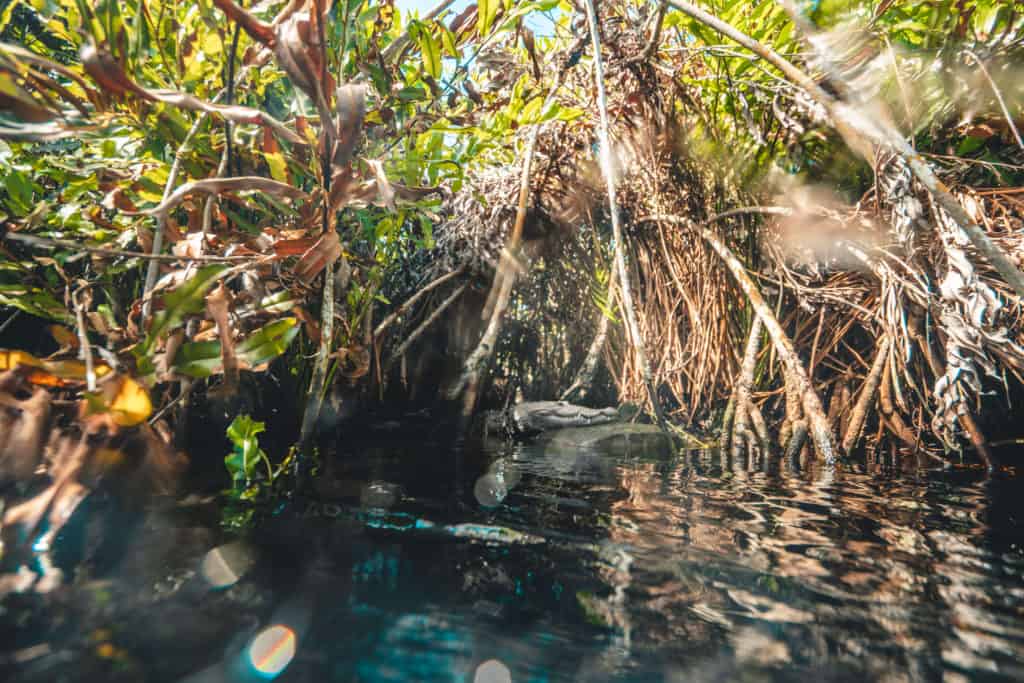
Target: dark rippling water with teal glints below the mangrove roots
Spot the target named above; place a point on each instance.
(581, 568)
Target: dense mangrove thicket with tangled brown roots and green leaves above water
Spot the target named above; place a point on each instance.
(817, 211)
